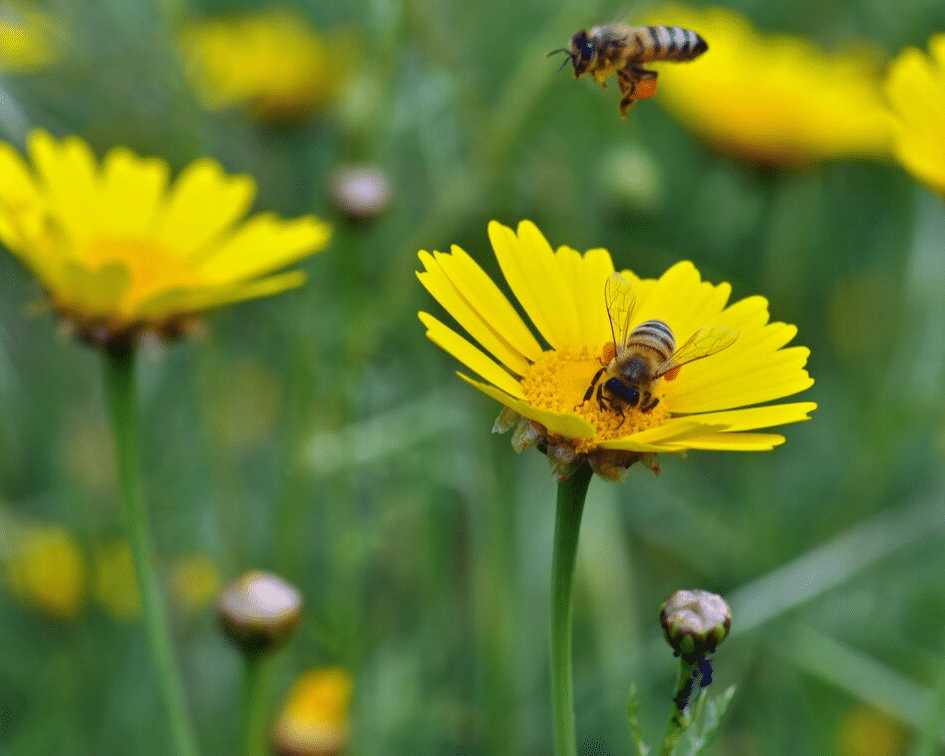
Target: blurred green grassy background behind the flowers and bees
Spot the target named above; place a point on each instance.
(318, 434)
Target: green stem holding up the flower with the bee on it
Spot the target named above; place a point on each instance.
(571, 495)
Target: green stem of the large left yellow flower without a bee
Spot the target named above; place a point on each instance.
(120, 384)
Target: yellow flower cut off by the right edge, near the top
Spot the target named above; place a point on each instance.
(916, 91)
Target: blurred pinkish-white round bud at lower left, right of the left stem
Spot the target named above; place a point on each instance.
(259, 611)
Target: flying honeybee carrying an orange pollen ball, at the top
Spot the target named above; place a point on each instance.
(622, 50)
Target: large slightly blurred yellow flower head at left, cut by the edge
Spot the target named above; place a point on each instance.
(120, 251)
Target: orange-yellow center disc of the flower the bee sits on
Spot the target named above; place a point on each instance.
(558, 381)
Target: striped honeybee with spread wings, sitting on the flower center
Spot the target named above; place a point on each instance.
(647, 354)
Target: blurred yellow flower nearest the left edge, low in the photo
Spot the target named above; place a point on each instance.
(47, 570)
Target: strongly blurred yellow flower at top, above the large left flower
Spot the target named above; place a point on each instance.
(273, 62)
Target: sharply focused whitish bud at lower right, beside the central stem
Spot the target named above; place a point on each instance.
(695, 622)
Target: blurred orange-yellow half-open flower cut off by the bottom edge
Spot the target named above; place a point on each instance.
(314, 718)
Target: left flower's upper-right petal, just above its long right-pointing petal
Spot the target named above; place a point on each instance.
(189, 222)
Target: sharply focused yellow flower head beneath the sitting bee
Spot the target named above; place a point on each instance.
(707, 404)
